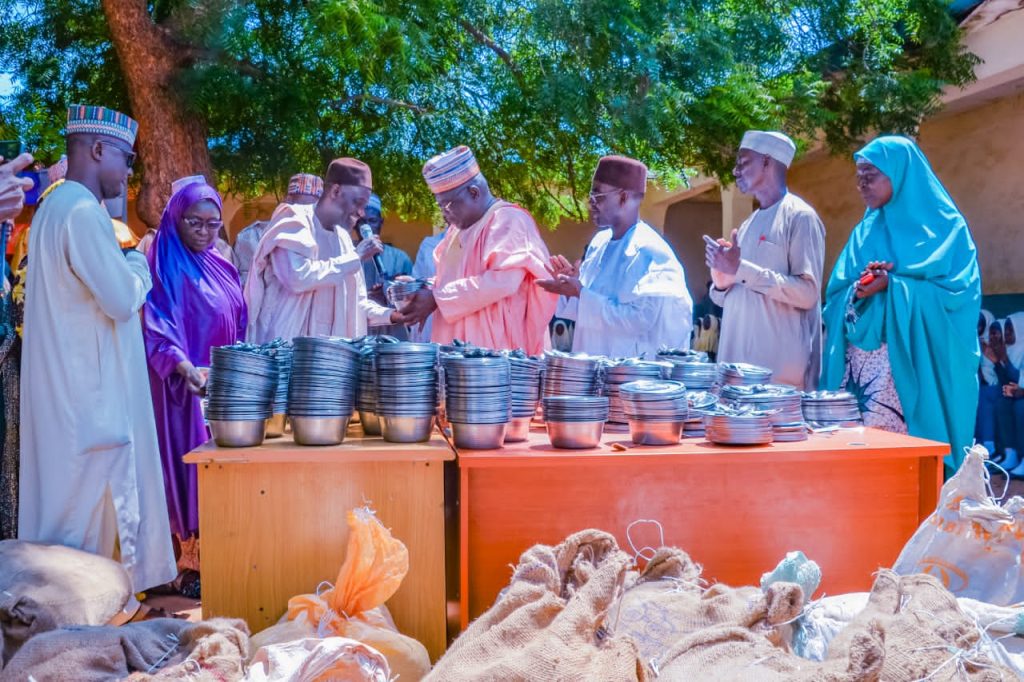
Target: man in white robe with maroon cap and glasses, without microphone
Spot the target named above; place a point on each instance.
(629, 296)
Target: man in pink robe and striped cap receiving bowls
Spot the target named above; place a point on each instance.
(488, 265)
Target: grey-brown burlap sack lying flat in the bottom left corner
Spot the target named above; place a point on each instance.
(159, 650)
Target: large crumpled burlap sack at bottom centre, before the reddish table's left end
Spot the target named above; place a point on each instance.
(549, 624)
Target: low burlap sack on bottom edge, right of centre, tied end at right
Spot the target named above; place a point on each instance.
(737, 655)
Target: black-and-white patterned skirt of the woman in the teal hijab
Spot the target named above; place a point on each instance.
(871, 379)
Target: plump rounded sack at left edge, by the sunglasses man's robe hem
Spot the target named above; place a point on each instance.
(44, 587)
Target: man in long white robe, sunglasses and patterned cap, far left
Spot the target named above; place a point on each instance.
(91, 474)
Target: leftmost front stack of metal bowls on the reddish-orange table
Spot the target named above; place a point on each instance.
(478, 401)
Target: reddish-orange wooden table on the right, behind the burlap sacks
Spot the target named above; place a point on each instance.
(849, 500)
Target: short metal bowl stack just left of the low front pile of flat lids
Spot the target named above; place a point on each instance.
(657, 411)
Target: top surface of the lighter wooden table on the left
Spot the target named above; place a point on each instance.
(357, 448)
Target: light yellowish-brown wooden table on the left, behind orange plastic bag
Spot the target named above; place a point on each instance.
(273, 522)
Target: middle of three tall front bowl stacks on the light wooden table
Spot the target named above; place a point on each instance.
(322, 394)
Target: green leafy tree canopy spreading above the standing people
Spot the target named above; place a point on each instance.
(540, 90)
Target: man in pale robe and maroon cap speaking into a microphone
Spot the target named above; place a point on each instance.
(307, 279)
